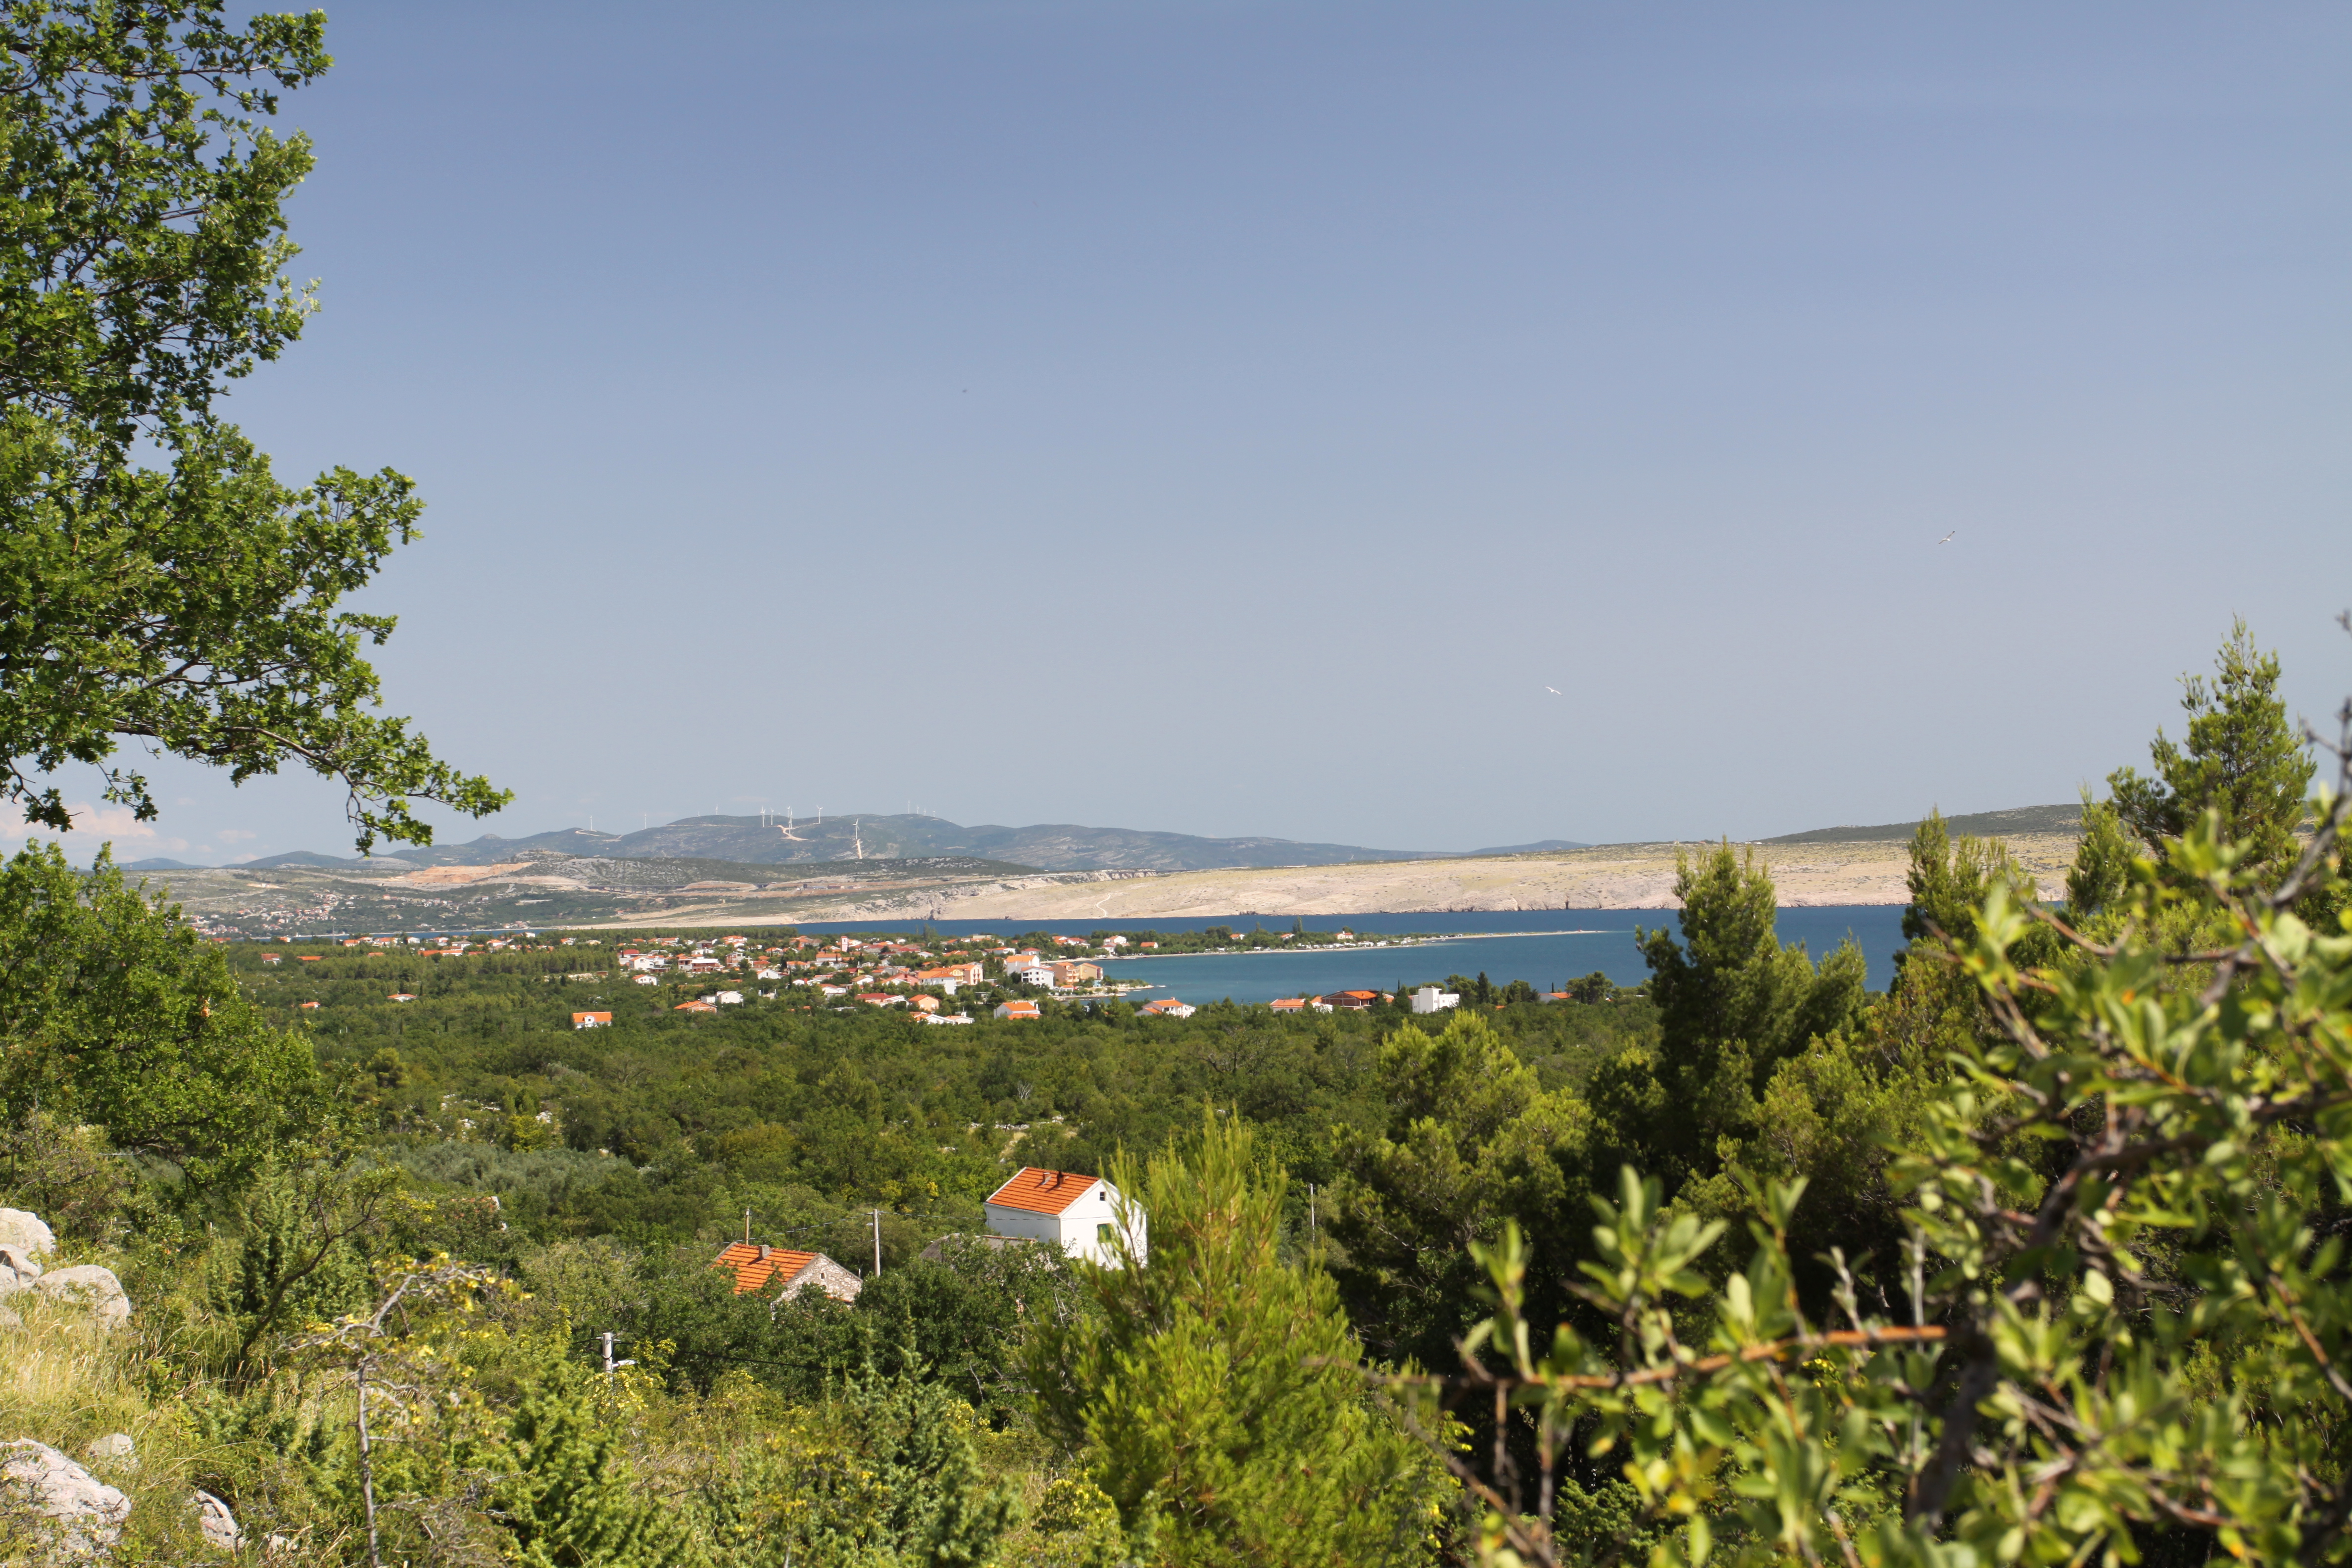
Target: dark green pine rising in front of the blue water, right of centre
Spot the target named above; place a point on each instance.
(1732, 1005)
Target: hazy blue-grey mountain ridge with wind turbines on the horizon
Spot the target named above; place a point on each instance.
(749, 840)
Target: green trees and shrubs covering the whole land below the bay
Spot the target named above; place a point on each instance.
(2022, 1259)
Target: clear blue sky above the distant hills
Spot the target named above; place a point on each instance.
(1231, 417)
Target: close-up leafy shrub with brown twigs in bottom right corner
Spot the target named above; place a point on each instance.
(2127, 1304)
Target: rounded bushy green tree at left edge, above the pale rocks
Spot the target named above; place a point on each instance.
(116, 1012)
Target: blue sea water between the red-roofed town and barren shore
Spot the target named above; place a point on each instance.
(1546, 949)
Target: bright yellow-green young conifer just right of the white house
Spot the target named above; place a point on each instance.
(1215, 1388)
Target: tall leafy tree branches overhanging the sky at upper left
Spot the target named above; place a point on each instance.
(187, 601)
